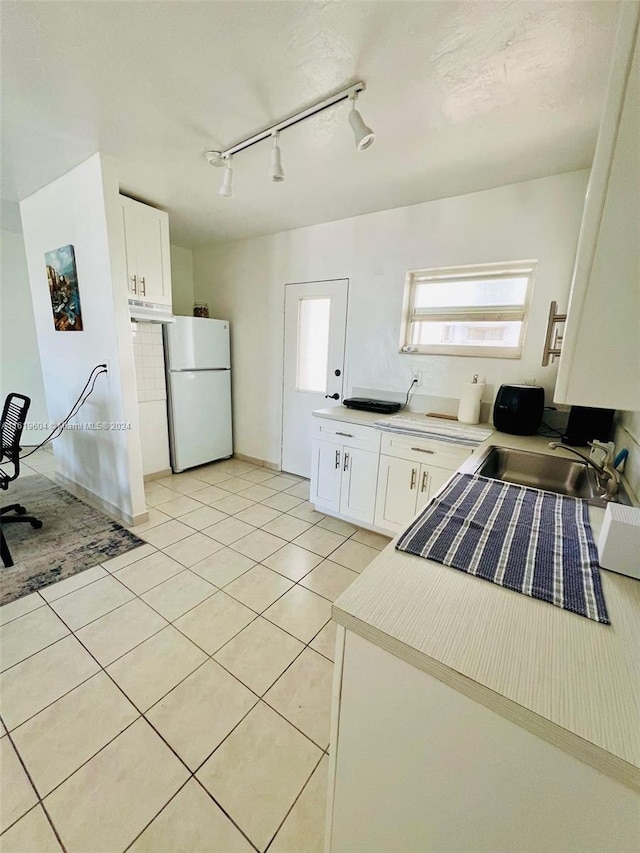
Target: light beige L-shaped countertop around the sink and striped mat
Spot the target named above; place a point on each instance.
(571, 681)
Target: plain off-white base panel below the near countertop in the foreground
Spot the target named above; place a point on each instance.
(416, 766)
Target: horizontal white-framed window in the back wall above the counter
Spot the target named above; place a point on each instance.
(479, 311)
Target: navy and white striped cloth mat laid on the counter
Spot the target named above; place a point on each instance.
(535, 542)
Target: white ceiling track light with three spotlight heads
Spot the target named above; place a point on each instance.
(363, 134)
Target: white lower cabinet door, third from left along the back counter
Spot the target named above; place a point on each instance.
(398, 484)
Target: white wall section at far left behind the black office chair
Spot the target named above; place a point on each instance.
(19, 354)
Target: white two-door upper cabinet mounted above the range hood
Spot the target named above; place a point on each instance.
(146, 237)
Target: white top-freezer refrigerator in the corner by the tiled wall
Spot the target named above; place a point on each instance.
(198, 363)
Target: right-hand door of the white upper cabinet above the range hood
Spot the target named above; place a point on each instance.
(152, 253)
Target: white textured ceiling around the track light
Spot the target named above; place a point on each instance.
(462, 95)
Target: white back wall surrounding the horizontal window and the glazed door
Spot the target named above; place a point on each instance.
(244, 282)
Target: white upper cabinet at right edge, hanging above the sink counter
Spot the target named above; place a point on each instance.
(600, 361)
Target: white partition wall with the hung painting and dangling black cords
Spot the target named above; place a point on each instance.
(81, 208)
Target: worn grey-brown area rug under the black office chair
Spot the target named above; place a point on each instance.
(74, 536)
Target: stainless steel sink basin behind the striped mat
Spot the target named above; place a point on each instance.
(540, 470)
